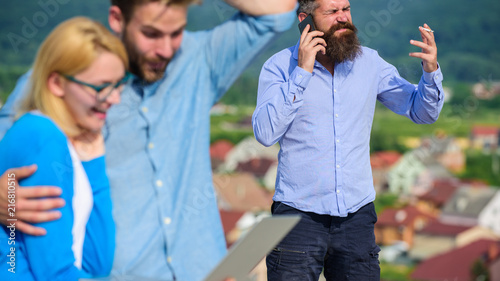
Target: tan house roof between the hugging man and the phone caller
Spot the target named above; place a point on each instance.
(241, 192)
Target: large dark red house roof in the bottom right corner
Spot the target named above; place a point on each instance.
(454, 264)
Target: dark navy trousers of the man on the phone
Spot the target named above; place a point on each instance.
(344, 247)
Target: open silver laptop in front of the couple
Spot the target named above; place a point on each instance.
(247, 252)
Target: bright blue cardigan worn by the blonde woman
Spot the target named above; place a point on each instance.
(35, 139)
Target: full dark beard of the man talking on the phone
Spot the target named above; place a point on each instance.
(346, 47)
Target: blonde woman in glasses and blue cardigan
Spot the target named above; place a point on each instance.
(77, 76)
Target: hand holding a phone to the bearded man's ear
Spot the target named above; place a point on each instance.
(310, 44)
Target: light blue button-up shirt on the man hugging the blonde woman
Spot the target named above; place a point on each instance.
(157, 153)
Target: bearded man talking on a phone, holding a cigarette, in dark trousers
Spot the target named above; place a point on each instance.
(317, 99)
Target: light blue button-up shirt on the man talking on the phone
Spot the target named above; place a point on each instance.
(324, 134)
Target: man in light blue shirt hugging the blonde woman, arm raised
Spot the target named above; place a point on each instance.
(157, 140)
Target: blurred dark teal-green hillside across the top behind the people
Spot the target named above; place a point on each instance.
(468, 33)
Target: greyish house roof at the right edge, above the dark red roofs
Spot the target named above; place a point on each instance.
(468, 201)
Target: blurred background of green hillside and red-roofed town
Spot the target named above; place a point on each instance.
(438, 186)
